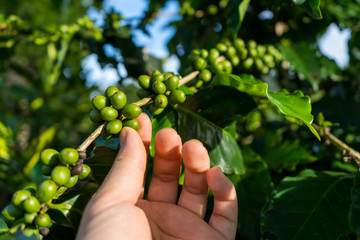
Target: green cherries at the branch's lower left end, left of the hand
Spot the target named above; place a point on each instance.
(28, 205)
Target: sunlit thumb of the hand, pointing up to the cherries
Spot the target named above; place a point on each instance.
(125, 178)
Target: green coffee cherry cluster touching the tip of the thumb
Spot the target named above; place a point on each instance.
(113, 110)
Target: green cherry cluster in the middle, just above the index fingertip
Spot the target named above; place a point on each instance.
(162, 88)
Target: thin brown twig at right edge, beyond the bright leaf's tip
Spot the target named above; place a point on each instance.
(350, 152)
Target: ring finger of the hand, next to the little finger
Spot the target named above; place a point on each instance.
(195, 190)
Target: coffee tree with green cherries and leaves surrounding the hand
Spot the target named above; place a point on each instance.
(251, 80)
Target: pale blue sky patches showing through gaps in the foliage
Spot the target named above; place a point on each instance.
(333, 44)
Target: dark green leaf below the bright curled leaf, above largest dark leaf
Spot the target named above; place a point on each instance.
(287, 156)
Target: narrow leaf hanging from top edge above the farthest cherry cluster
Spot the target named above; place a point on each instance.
(237, 14)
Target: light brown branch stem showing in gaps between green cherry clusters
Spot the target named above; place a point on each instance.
(140, 103)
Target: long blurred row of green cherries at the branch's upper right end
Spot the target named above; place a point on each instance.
(227, 56)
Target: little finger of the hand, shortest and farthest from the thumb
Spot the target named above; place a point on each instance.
(224, 215)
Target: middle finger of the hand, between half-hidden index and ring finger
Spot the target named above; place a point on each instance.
(167, 162)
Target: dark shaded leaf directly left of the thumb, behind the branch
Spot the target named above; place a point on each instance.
(101, 162)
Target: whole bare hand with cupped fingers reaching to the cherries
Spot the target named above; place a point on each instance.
(118, 210)
